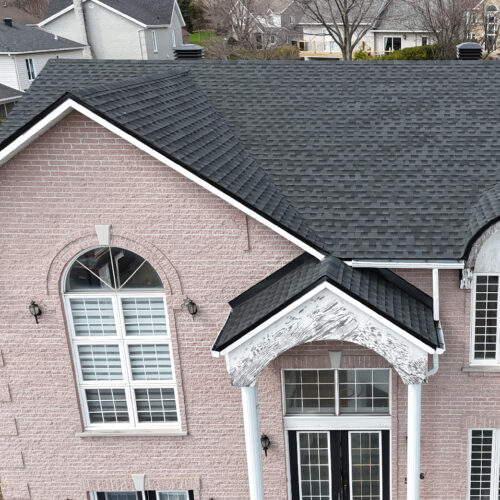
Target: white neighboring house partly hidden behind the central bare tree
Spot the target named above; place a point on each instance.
(396, 27)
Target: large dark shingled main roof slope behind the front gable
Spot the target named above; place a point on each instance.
(382, 159)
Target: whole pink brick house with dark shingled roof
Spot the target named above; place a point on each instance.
(217, 274)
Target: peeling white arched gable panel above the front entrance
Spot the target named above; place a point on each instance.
(326, 316)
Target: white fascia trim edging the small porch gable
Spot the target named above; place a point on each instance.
(325, 285)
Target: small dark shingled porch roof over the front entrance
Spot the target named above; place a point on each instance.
(381, 290)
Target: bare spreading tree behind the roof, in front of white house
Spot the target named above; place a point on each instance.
(346, 21)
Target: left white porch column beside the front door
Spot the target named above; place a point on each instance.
(252, 442)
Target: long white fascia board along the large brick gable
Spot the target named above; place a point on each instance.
(69, 105)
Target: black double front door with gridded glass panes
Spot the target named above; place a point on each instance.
(339, 465)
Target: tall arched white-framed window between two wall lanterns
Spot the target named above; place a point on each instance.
(117, 318)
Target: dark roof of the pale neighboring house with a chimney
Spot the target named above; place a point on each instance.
(150, 12)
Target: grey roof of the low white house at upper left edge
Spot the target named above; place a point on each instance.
(22, 38)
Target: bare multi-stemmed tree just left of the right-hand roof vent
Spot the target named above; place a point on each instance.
(446, 21)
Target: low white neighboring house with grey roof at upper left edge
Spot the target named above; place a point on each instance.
(24, 51)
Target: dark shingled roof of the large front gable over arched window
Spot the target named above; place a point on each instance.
(169, 113)
